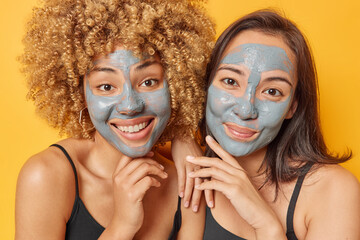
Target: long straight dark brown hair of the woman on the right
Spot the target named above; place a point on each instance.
(299, 140)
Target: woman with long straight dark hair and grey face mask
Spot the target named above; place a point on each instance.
(266, 144)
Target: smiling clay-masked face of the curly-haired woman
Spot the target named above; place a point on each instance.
(128, 101)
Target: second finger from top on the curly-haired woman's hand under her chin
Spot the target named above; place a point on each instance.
(145, 169)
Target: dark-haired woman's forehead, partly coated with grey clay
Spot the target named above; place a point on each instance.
(258, 46)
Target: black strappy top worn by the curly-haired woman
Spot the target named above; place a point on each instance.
(82, 226)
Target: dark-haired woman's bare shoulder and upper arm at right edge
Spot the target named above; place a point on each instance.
(332, 193)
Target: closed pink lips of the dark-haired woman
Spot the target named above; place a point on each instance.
(239, 133)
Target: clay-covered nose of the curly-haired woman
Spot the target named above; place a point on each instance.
(131, 105)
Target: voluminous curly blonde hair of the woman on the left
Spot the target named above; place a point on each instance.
(64, 36)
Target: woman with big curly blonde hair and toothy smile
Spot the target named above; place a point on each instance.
(117, 77)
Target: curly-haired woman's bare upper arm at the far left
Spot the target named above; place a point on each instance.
(44, 198)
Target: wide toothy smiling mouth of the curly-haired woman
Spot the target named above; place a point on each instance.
(138, 129)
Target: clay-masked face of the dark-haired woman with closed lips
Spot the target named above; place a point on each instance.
(251, 93)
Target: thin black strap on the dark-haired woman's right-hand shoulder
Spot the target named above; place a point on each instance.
(294, 197)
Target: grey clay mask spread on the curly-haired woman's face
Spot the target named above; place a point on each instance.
(132, 116)
